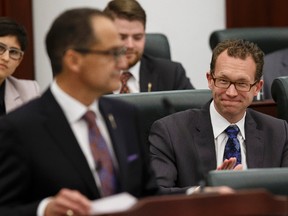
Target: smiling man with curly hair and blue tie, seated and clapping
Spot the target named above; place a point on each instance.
(224, 134)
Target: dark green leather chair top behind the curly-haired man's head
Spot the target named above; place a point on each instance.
(269, 39)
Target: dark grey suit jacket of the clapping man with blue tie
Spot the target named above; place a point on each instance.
(183, 150)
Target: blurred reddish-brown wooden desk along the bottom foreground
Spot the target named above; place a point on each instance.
(248, 203)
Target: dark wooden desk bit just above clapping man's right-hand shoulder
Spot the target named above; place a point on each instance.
(265, 106)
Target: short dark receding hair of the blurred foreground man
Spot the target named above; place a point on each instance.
(71, 29)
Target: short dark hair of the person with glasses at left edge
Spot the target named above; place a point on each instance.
(10, 27)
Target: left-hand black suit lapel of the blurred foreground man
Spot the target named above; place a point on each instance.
(60, 129)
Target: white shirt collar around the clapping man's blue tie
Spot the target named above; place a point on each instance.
(219, 123)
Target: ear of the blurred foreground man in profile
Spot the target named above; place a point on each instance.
(72, 60)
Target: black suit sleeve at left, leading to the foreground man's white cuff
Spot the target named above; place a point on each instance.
(14, 175)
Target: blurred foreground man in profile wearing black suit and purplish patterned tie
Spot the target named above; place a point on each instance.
(49, 164)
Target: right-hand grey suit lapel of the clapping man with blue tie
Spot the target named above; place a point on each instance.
(254, 143)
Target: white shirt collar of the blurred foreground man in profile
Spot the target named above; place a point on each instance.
(72, 108)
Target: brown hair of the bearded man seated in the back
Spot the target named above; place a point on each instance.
(126, 9)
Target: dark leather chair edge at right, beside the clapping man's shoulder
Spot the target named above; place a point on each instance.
(279, 91)
